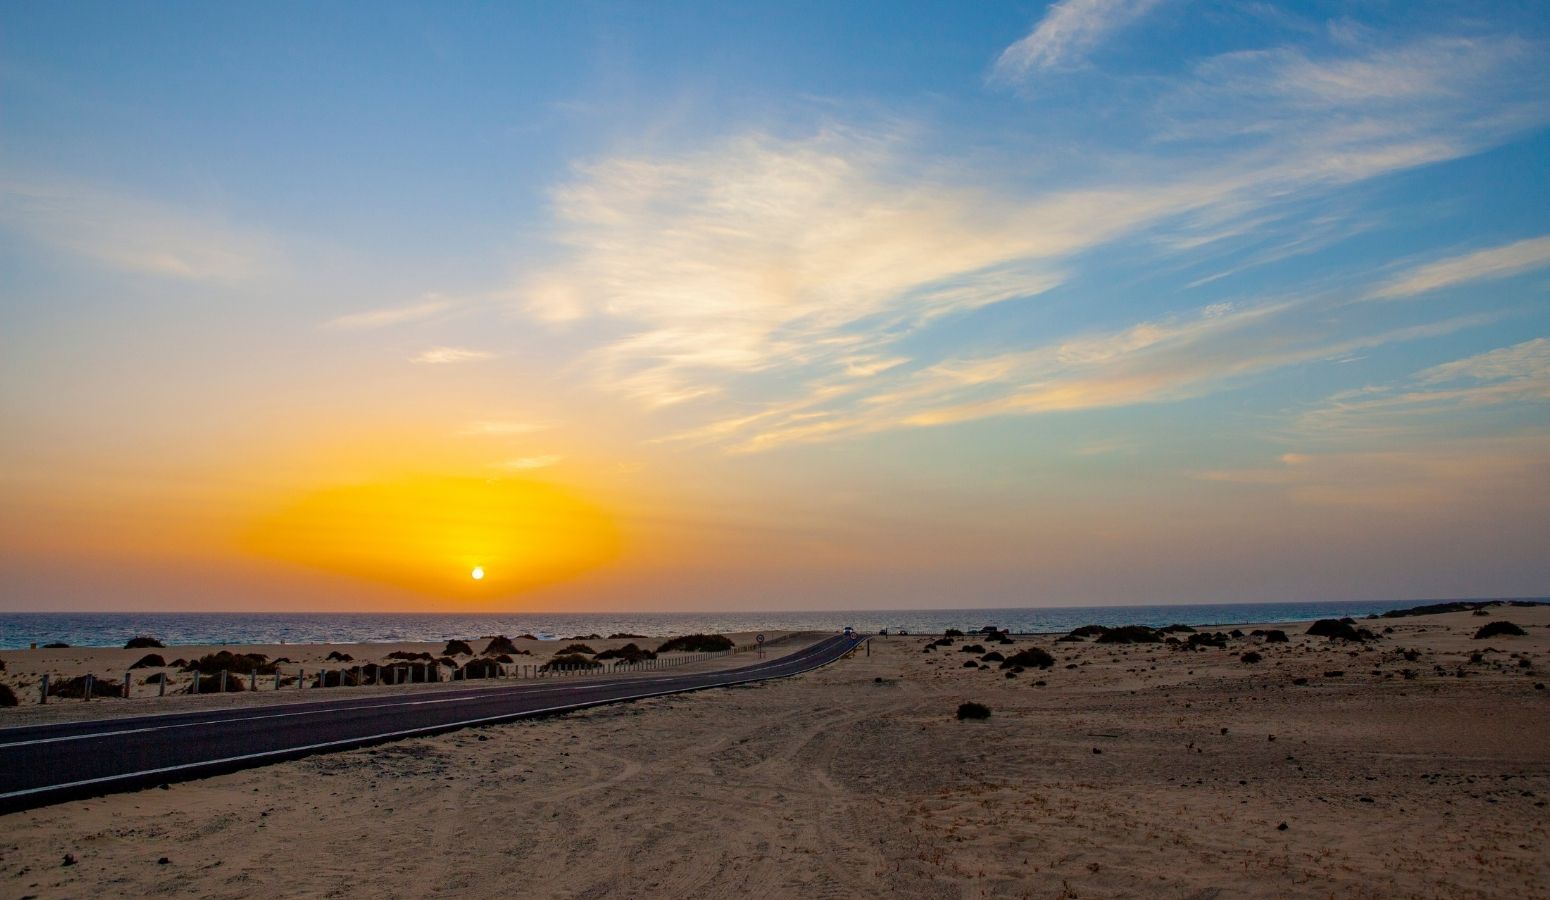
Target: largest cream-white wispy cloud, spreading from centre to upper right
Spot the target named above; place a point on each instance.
(791, 286)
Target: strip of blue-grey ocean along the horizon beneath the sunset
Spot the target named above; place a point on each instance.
(21, 630)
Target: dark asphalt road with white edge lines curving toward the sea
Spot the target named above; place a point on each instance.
(44, 764)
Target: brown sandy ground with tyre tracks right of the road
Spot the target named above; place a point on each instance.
(1134, 772)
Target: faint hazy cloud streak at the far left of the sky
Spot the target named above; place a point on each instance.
(129, 233)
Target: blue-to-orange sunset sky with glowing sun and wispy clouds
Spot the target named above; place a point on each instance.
(773, 306)
